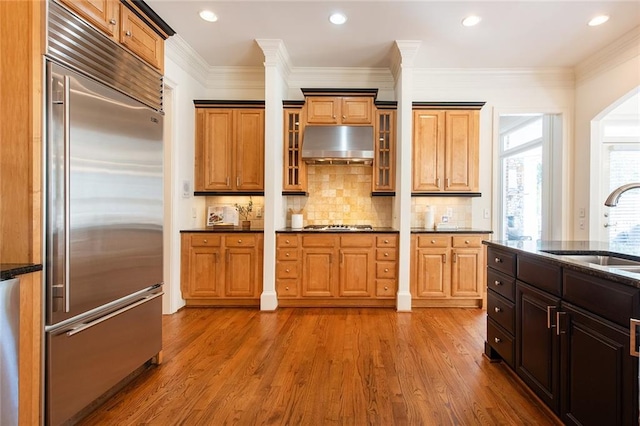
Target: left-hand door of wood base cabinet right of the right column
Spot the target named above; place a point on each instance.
(432, 275)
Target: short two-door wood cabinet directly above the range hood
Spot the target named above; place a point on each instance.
(339, 110)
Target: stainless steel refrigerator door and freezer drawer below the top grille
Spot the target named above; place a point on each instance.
(103, 240)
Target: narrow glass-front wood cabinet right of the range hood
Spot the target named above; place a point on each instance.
(384, 173)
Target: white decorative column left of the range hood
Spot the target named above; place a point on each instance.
(277, 69)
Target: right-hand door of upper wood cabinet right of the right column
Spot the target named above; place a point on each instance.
(461, 156)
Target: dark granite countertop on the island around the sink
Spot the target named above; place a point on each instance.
(539, 248)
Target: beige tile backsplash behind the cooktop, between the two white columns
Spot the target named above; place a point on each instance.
(341, 194)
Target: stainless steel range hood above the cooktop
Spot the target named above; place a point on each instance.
(337, 144)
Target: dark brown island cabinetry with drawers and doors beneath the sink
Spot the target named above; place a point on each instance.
(571, 338)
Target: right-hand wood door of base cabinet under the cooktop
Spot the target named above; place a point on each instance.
(356, 273)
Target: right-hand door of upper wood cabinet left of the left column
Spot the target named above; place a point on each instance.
(249, 149)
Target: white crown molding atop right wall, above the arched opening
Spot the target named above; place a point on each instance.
(623, 49)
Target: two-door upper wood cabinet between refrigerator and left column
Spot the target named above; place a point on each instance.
(229, 154)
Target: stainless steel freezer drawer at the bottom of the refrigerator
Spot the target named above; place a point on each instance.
(85, 361)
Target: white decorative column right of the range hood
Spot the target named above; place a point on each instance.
(402, 69)
